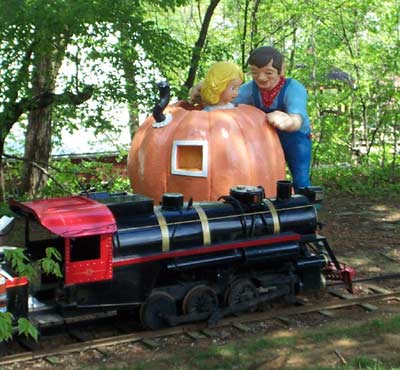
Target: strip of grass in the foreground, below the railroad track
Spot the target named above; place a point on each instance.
(279, 349)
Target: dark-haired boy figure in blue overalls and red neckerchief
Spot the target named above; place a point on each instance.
(285, 102)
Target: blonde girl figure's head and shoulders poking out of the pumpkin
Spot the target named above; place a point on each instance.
(221, 86)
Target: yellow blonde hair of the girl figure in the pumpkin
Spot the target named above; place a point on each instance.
(217, 80)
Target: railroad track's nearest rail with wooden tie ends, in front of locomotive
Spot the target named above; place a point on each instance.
(339, 299)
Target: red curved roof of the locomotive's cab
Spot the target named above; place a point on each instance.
(67, 217)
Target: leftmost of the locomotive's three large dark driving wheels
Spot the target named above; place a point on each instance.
(154, 311)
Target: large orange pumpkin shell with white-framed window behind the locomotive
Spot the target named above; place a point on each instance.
(242, 150)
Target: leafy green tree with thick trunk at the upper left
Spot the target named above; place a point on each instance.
(35, 38)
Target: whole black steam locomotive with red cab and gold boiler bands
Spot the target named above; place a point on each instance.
(178, 261)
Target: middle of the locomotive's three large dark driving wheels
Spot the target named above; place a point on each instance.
(200, 299)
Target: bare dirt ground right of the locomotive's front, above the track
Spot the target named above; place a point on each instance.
(364, 233)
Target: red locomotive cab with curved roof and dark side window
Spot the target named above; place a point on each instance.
(80, 228)
